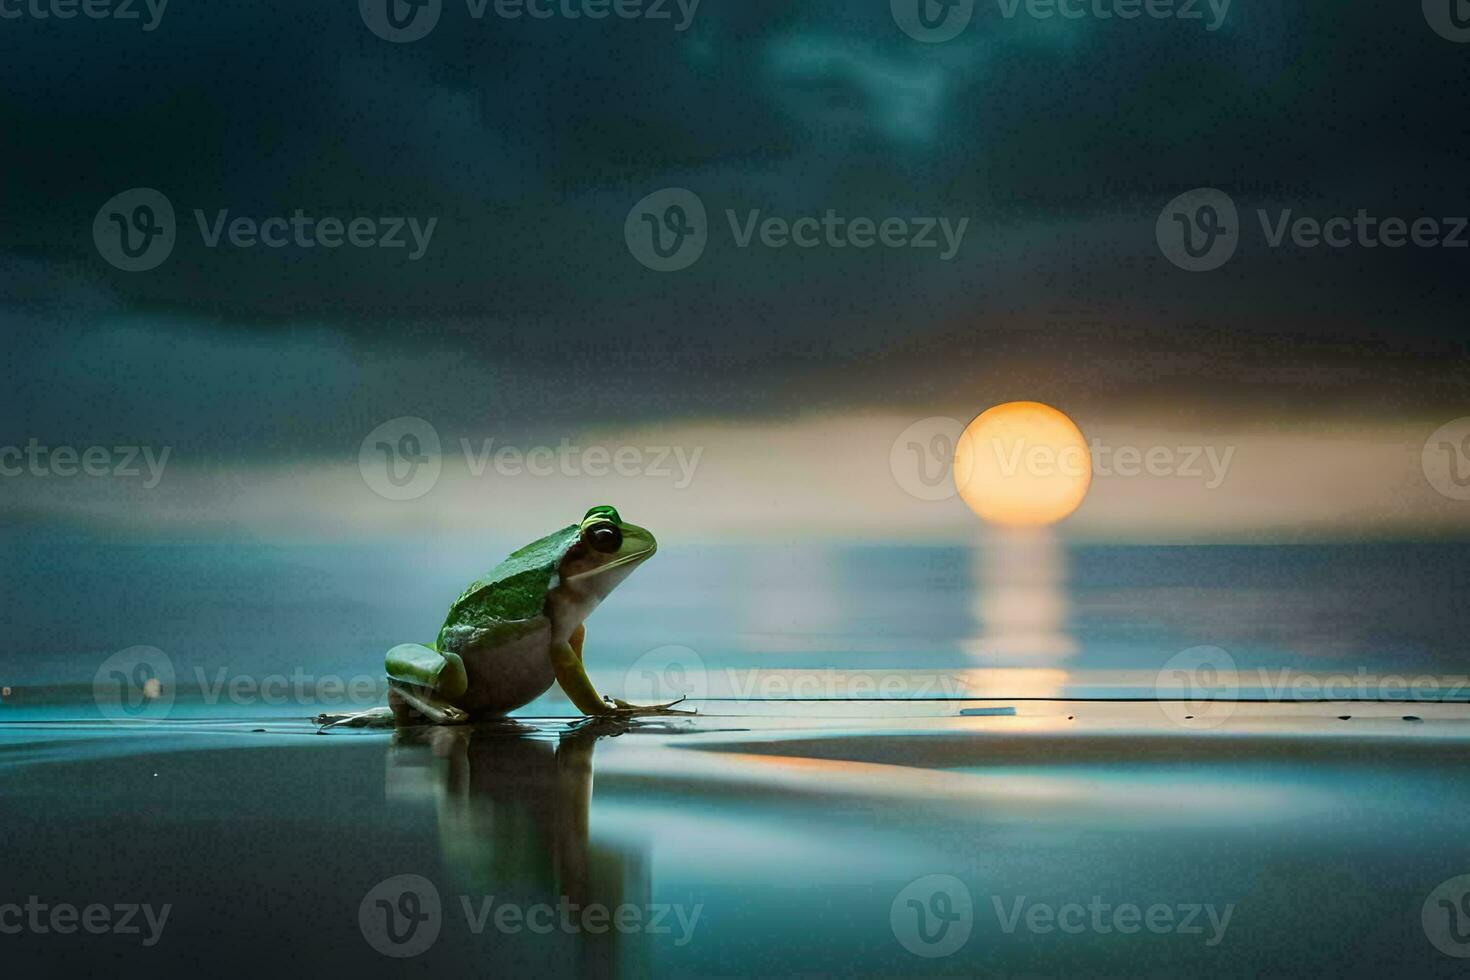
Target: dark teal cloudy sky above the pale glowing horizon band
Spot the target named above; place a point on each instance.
(531, 140)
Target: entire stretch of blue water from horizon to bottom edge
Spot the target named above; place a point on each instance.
(908, 716)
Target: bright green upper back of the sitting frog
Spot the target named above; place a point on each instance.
(512, 596)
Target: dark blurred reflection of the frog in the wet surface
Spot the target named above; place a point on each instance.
(514, 810)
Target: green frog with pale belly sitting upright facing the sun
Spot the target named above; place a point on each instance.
(521, 628)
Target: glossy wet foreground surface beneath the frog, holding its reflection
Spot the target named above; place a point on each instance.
(789, 838)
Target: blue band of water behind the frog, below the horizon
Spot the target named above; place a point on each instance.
(1036, 618)
